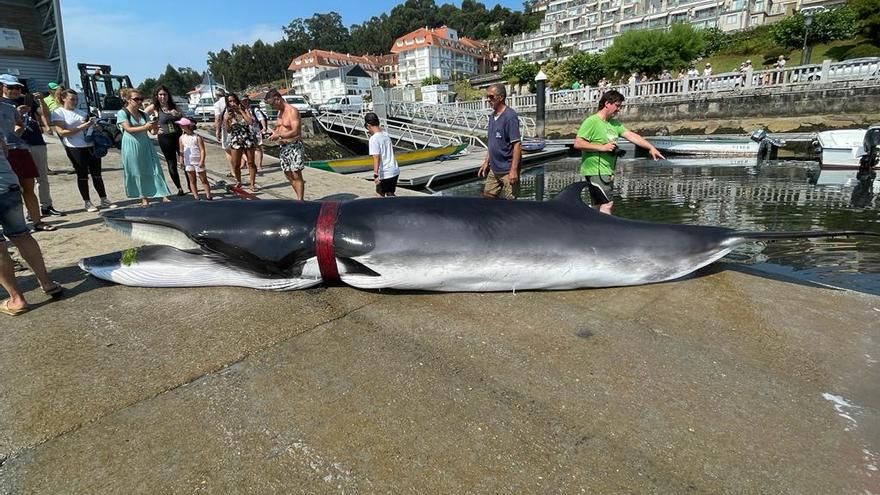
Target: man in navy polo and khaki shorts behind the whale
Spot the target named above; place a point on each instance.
(501, 166)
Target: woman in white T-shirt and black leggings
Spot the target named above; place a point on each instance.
(71, 125)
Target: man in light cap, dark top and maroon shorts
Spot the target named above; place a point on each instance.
(12, 127)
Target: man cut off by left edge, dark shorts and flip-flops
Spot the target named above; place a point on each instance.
(15, 228)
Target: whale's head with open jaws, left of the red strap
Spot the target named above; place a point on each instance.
(268, 244)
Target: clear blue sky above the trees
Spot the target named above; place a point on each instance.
(140, 38)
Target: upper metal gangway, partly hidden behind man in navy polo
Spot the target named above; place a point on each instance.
(472, 121)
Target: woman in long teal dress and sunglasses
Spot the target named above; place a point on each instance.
(140, 167)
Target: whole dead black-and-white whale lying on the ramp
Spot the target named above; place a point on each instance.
(422, 243)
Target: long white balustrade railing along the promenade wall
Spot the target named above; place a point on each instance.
(818, 76)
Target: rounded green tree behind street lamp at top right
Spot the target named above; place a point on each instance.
(835, 24)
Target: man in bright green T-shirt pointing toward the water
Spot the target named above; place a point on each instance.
(596, 140)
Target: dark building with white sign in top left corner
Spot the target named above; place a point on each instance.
(32, 42)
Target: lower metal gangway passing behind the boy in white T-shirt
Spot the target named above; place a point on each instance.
(417, 135)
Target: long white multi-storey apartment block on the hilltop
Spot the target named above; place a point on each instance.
(592, 25)
